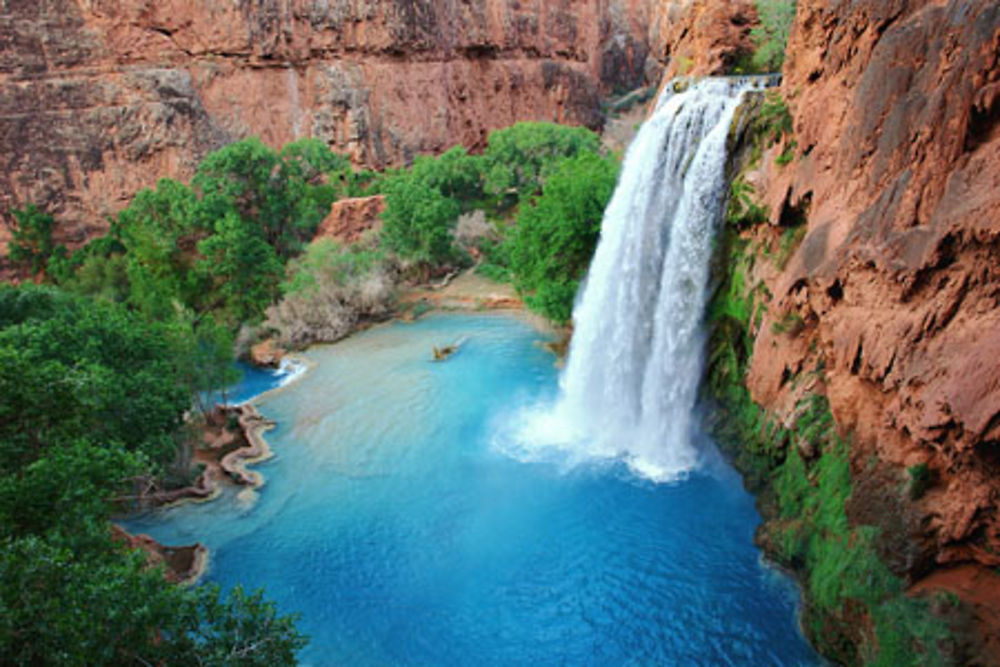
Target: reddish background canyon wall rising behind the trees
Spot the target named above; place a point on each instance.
(99, 98)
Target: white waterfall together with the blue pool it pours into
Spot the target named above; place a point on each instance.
(483, 510)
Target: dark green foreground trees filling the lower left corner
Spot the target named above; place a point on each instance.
(92, 397)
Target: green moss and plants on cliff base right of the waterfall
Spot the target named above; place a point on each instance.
(855, 609)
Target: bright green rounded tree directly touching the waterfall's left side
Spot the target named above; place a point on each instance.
(551, 245)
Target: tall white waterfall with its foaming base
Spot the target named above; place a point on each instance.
(631, 380)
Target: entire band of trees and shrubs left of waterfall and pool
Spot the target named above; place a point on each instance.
(98, 370)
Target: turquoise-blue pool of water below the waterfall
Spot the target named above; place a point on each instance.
(393, 522)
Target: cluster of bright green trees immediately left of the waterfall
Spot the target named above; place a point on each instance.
(544, 187)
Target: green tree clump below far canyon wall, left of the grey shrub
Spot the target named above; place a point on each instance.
(216, 248)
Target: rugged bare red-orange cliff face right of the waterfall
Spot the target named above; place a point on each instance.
(896, 108)
